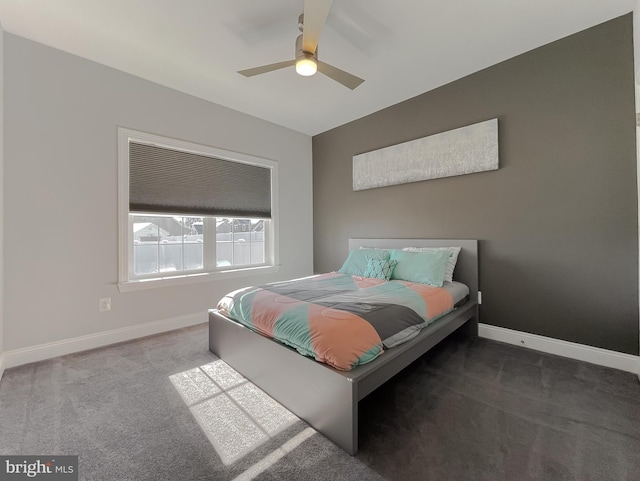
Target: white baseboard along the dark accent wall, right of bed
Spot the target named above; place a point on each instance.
(581, 352)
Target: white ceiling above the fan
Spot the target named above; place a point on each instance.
(401, 48)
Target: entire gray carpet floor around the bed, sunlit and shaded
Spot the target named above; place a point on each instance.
(162, 408)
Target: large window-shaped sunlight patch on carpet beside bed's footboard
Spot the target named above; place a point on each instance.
(234, 414)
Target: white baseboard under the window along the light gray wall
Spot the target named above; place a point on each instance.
(41, 352)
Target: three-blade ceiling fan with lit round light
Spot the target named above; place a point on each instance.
(306, 60)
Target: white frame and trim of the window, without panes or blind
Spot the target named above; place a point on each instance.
(125, 237)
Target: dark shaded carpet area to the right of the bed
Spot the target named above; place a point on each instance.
(483, 410)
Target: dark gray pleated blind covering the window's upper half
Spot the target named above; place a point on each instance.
(164, 180)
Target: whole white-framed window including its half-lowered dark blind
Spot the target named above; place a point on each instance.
(189, 212)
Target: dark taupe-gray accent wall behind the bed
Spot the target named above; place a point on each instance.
(557, 223)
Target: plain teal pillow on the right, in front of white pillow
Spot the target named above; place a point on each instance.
(427, 267)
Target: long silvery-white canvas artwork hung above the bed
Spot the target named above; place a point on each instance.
(466, 150)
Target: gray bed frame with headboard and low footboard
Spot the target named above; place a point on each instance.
(325, 397)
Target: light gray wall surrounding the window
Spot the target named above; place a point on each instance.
(61, 220)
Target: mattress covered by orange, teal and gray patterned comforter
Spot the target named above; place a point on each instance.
(339, 319)
